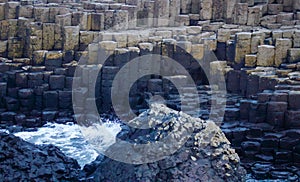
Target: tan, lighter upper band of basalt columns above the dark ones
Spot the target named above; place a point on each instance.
(31, 28)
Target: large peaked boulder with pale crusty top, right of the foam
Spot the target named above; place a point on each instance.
(206, 156)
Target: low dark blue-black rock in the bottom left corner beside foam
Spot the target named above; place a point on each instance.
(23, 161)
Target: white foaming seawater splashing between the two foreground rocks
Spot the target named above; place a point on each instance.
(69, 138)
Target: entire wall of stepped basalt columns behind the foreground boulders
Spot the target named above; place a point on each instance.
(256, 41)
